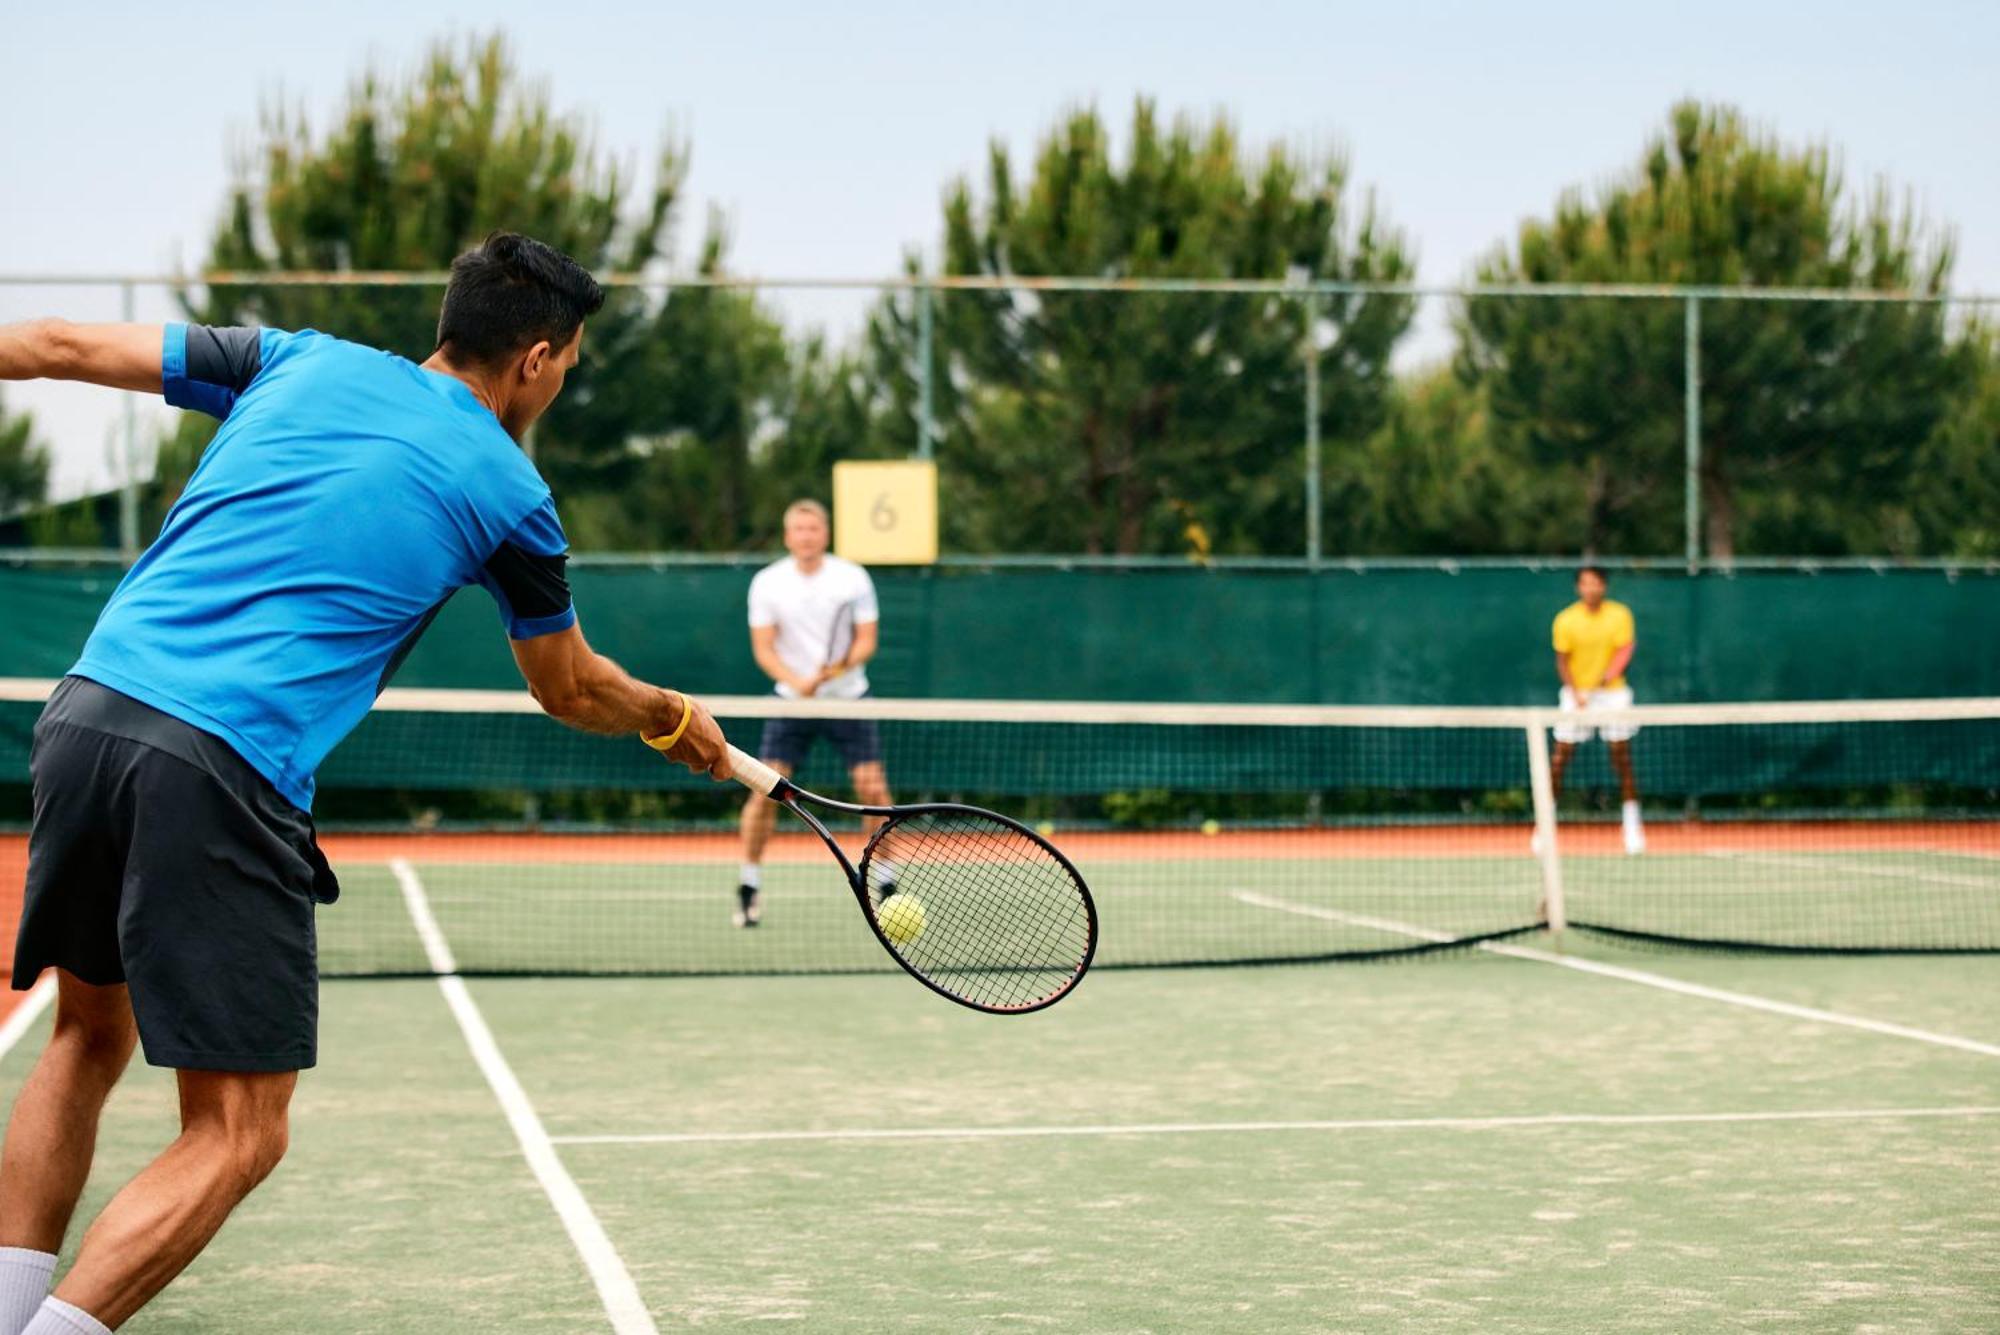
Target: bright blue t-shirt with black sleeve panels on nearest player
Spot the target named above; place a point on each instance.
(345, 499)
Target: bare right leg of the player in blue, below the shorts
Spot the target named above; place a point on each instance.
(233, 1132)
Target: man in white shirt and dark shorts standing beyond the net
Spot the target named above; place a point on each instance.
(813, 631)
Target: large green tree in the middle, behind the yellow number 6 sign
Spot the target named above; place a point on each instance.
(1145, 423)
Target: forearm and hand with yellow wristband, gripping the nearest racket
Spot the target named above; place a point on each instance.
(579, 686)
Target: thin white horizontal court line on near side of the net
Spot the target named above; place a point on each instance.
(1245, 1128)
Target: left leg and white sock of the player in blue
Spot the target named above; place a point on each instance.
(53, 1136)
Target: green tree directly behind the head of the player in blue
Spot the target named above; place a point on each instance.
(653, 441)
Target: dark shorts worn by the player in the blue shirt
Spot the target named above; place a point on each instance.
(159, 858)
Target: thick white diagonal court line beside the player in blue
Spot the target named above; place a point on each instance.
(607, 1272)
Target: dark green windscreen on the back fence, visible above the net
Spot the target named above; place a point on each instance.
(1475, 637)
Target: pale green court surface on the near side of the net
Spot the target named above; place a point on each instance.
(1479, 1142)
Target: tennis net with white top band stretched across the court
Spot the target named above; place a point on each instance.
(1211, 834)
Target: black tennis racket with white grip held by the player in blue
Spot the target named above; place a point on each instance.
(975, 906)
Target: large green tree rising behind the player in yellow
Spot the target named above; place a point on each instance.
(1811, 413)
